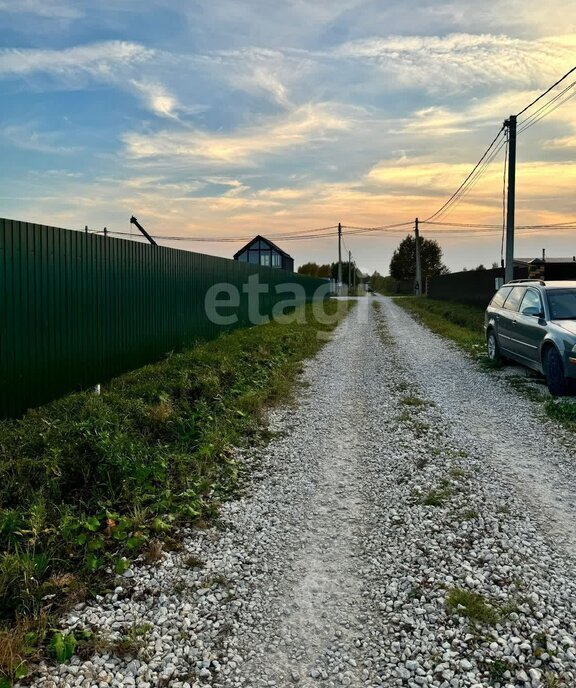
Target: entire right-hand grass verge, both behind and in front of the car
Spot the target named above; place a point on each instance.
(464, 326)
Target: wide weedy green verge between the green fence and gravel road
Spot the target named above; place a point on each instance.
(87, 483)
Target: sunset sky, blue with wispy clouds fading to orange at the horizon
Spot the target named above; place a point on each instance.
(230, 118)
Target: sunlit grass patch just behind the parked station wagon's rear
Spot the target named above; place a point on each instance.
(458, 322)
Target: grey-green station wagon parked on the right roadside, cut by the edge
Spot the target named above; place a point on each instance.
(533, 322)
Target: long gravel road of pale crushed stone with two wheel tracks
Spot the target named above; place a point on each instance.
(410, 524)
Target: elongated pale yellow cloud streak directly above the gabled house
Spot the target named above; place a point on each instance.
(307, 125)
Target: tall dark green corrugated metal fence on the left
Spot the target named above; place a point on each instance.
(77, 308)
